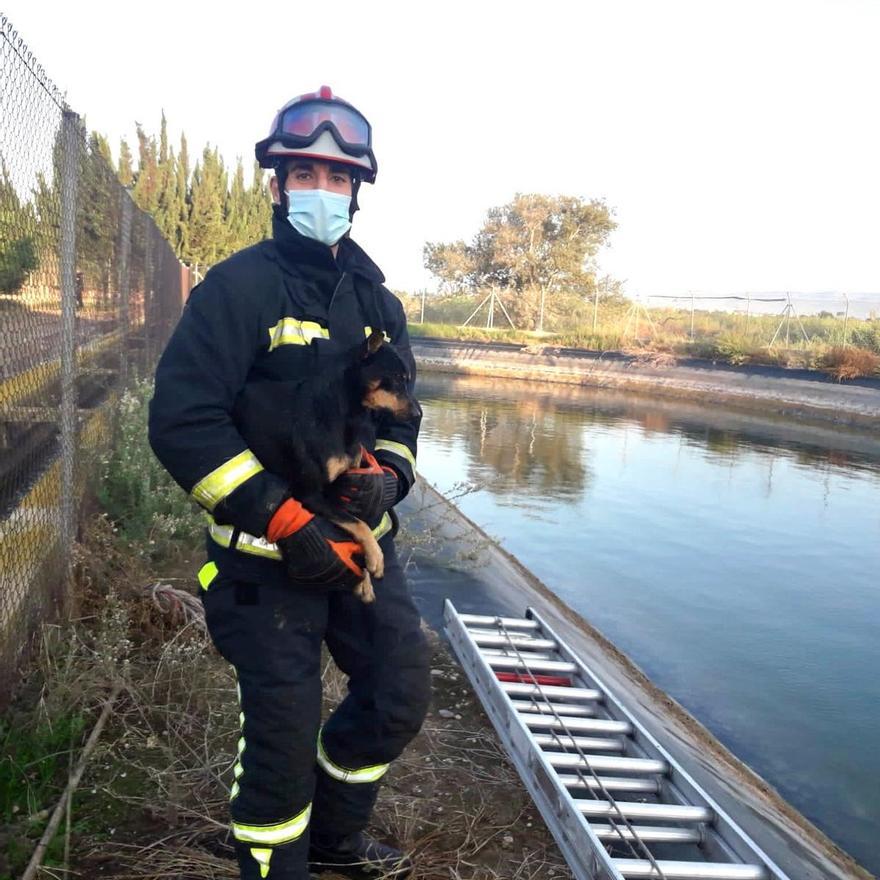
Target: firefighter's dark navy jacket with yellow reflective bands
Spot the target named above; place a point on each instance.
(276, 310)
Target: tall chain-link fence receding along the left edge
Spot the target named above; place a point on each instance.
(89, 293)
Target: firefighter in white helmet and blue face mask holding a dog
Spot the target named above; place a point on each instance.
(278, 580)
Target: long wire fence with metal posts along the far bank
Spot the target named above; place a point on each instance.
(702, 324)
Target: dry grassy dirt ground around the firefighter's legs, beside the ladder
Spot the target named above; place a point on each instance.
(153, 800)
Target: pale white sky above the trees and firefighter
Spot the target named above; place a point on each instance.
(738, 142)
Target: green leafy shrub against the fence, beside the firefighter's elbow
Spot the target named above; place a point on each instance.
(137, 493)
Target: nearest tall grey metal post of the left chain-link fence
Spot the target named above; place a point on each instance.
(71, 144)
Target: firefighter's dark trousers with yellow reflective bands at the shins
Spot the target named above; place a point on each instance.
(294, 777)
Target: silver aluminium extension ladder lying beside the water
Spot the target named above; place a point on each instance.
(578, 750)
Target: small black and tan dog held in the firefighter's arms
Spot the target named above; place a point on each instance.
(309, 431)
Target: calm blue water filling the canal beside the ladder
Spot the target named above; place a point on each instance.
(735, 559)
